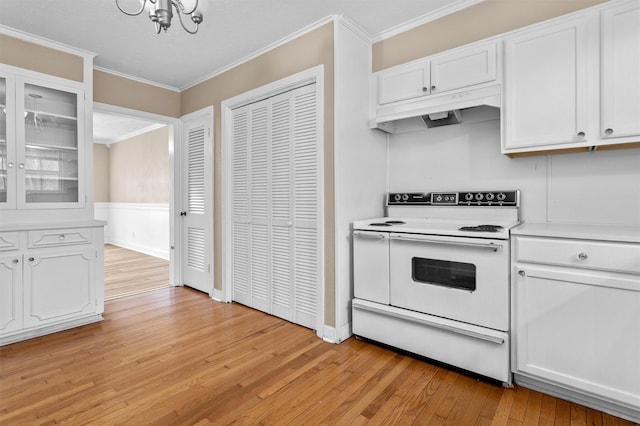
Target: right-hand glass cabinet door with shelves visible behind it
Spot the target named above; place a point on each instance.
(48, 172)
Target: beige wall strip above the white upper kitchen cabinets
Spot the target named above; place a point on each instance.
(486, 19)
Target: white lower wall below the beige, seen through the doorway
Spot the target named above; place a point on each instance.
(139, 227)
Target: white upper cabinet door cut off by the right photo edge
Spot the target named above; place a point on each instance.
(621, 70)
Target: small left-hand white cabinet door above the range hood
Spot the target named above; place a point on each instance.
(404, 82)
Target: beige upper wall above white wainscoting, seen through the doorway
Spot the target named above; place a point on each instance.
(139, 169)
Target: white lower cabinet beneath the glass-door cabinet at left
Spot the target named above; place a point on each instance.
(50, 280)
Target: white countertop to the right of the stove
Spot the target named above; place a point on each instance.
(630, 234)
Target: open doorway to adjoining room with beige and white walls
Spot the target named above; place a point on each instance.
(133, 190)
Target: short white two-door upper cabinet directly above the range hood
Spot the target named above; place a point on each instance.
(457, 69)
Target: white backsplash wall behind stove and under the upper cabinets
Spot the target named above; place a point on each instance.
(591, 187)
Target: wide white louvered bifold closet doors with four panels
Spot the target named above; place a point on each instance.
(275, 181)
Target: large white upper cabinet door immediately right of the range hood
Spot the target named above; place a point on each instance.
(545, 77)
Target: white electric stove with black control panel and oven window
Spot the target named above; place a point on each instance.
(432, 277)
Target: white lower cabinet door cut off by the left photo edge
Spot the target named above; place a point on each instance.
(10, 292)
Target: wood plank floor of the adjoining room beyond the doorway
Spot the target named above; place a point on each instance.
(129, 272)
